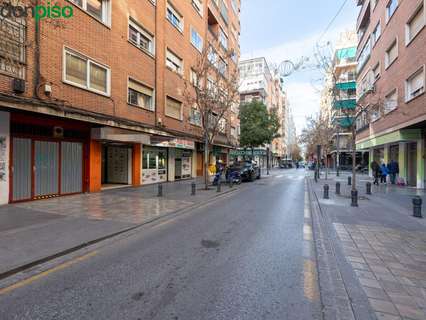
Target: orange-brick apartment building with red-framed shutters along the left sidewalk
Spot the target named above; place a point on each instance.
(97, 100)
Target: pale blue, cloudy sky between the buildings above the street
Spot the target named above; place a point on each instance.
(288, 30)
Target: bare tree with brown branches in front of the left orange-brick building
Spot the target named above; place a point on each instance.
(211, 92)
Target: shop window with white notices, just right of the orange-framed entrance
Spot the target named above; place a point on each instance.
(154, 164)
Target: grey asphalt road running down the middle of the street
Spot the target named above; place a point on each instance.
(248, 256)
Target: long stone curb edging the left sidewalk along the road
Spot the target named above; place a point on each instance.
(59, 254)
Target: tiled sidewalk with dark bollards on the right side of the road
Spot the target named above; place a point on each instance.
(381, 244)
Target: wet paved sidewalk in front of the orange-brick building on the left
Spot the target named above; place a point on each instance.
(37, 230)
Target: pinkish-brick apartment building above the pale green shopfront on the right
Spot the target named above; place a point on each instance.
(391, 81)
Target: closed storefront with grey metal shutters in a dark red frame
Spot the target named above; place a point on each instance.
(47, 157)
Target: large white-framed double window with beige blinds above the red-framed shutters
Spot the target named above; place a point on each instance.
(85, 73)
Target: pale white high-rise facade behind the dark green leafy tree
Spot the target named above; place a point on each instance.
(257, 82)
